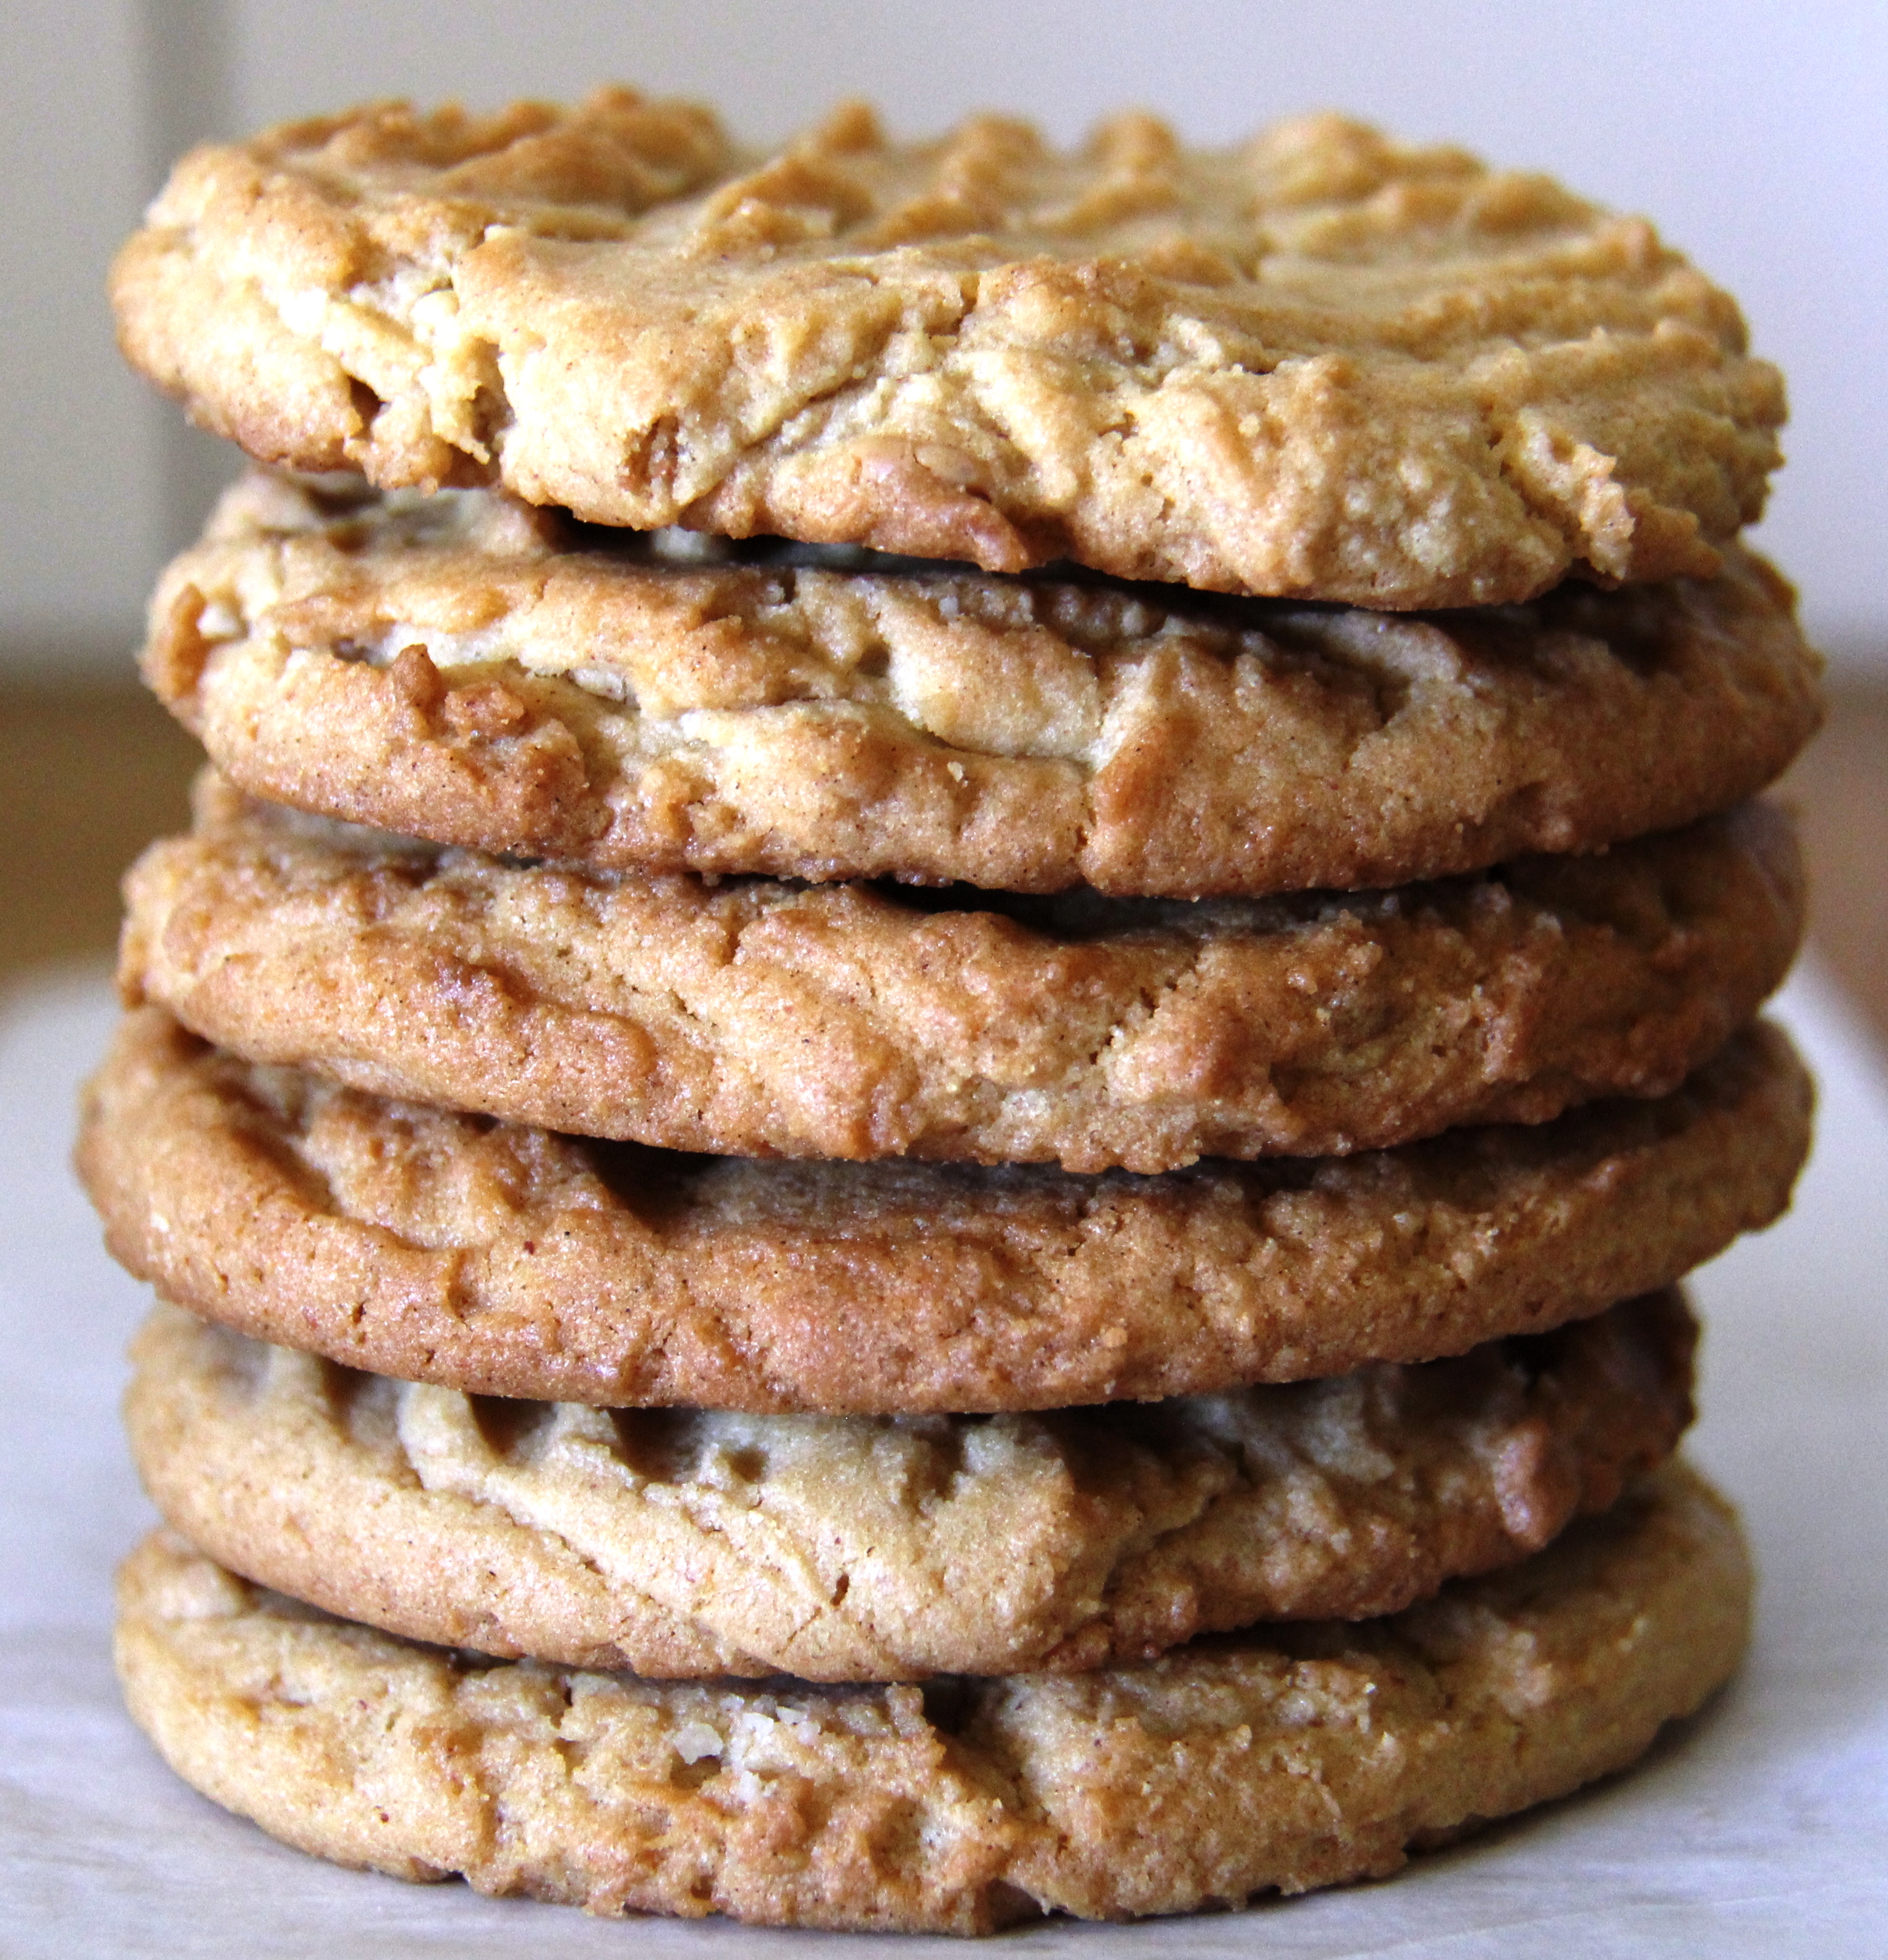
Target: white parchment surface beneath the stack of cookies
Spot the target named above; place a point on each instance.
(1756, 1830)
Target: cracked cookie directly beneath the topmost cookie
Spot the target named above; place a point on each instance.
(489, 675)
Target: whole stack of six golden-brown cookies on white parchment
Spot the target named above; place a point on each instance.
(973, 942)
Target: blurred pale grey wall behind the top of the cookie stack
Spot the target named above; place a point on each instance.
(1756, 134)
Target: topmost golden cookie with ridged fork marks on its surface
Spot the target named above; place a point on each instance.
(1317, 366)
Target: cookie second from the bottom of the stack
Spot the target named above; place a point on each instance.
(856, 1549)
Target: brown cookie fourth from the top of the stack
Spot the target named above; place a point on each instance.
(505, 1261)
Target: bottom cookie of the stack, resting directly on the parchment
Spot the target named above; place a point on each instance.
(1287, 1757)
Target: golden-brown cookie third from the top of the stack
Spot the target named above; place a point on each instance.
(858, 1022)
